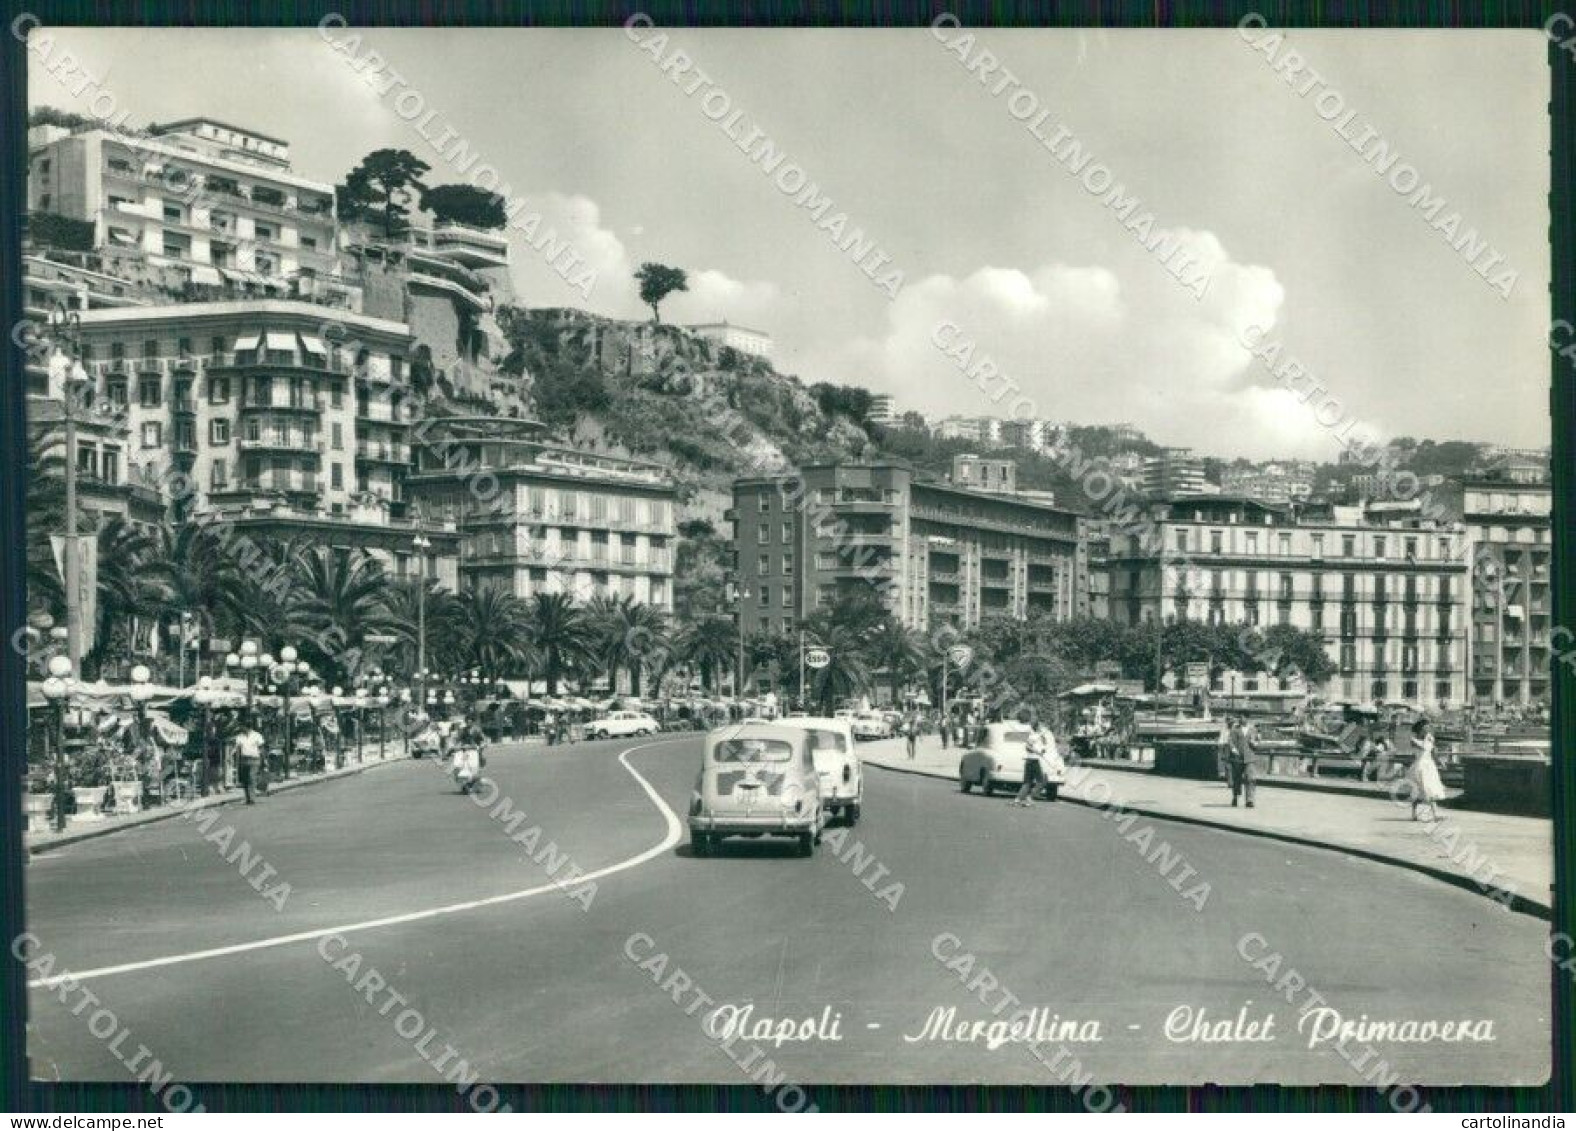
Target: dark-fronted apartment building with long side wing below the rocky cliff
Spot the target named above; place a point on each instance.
(932, 554)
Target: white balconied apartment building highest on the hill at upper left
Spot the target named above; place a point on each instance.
(210, 204)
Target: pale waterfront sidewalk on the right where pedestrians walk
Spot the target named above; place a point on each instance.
(1506, 858)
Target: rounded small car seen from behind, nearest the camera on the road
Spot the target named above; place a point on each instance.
(757, 781)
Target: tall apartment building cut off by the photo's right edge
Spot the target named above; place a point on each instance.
(1512, 601)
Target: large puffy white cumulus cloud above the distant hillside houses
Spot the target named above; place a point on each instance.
(1099, 344)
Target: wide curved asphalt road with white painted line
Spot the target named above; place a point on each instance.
(1054, 902)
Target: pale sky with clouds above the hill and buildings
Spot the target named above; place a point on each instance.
(1303, 243)
